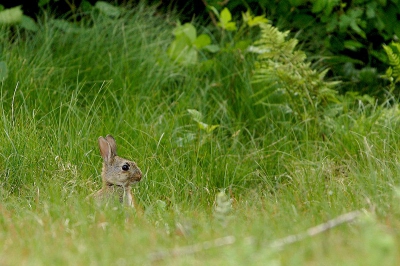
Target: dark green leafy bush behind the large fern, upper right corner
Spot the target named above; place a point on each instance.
(348, 37)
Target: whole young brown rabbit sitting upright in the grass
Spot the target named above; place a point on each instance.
(118, 174)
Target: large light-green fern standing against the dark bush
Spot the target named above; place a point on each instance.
(280, 67)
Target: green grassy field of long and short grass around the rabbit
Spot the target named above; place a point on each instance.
(219, 198)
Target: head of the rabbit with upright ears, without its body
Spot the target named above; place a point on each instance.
(116, 170)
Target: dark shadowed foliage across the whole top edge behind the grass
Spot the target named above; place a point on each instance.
(345, 36)
